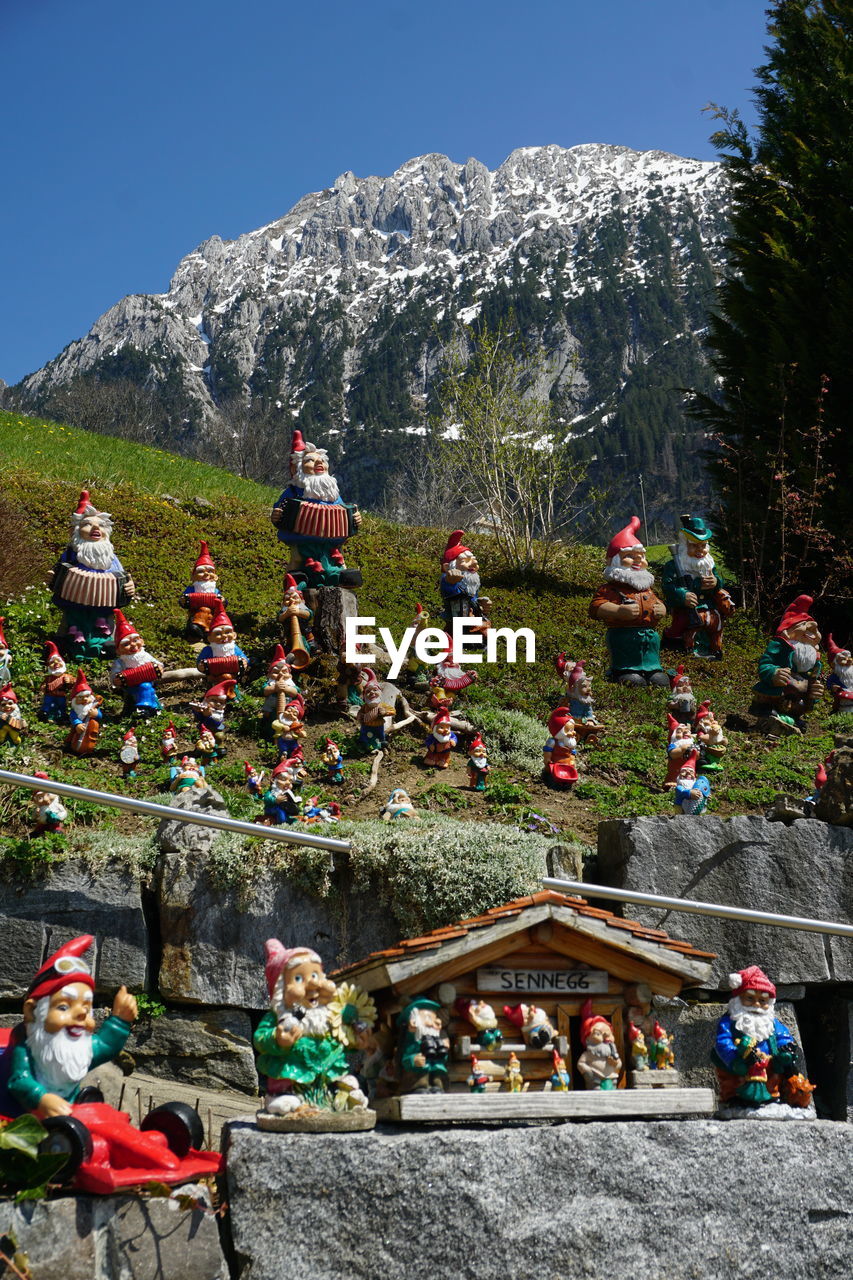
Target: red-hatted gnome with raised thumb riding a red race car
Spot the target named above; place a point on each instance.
(47, 1057)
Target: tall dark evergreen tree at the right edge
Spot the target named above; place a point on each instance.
(781, 339)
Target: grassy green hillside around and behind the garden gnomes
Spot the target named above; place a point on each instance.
(163, 506)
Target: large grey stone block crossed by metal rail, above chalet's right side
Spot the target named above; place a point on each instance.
(804, 870)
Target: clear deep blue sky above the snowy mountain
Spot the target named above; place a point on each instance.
(143, 130)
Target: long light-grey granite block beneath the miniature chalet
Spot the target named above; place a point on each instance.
(619, 1200)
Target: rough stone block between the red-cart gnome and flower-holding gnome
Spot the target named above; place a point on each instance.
(211, 1050)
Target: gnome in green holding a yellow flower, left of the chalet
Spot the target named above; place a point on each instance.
(298, 1053)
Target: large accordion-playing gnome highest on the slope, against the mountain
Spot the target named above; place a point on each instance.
(313, 520)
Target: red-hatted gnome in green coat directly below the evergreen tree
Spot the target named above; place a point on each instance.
(790, 670)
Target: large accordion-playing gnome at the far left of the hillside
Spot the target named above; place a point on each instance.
(89, 583)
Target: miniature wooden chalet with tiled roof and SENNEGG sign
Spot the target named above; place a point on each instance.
(548, 950)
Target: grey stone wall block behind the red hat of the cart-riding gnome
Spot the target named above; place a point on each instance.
(37, 917)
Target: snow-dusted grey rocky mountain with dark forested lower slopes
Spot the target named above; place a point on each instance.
(339, 316)
